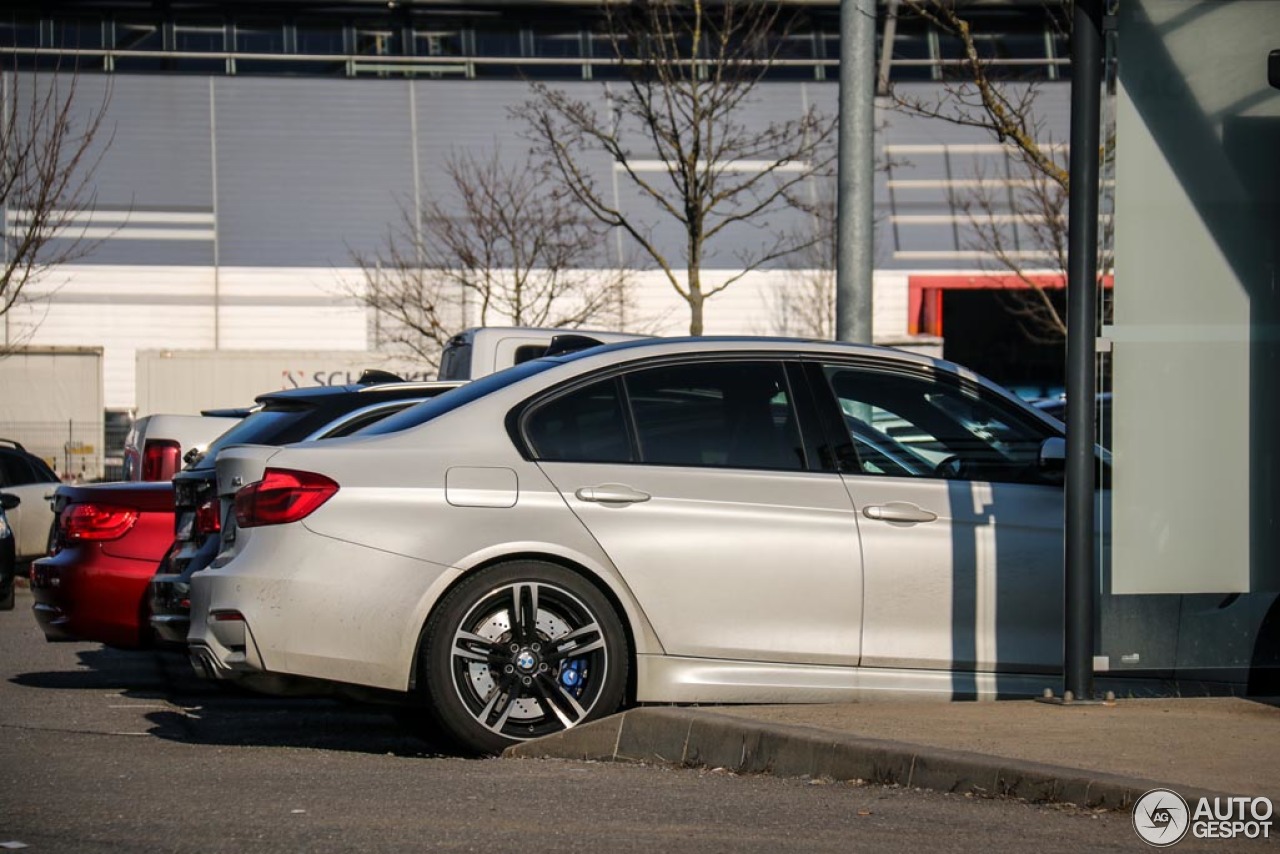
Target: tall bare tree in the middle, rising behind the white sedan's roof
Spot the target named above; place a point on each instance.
(679, 131)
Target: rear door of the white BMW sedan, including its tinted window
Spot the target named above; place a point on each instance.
(697, 482)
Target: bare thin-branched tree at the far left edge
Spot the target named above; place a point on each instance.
(51, 147)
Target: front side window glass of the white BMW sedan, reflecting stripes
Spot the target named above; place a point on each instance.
(922, 427)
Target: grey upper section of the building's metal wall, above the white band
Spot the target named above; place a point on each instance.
(308, 171)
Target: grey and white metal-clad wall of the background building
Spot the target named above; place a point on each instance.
(228, 208)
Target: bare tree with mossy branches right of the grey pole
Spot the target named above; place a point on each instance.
(1022, 217)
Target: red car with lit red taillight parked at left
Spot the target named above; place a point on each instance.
(107, 544)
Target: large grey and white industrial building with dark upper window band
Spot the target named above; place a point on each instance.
(257, 148)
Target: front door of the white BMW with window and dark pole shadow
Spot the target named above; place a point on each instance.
(962, 528)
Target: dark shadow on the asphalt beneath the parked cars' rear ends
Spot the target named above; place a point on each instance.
(208, 713)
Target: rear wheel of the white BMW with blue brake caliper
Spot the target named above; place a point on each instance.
(492, 682)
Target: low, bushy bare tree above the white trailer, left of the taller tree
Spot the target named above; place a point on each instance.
(505, 245)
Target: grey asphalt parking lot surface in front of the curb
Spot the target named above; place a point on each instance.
(106, 751)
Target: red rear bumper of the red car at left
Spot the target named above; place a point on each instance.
(85, 595)
